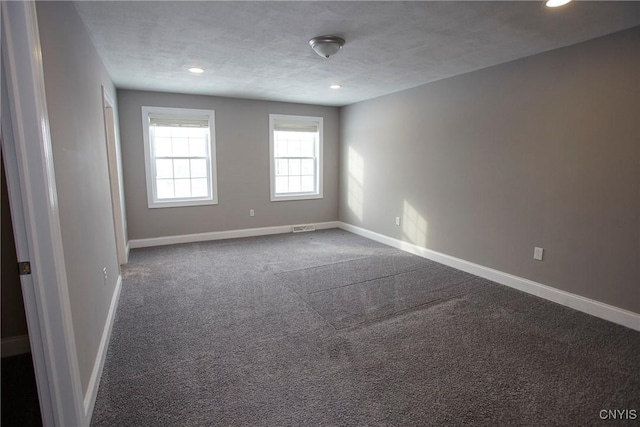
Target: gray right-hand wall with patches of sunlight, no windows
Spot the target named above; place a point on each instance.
(542, 151)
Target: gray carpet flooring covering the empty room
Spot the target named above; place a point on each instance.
(330, 329)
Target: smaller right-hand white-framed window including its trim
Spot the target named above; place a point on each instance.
(295, 148)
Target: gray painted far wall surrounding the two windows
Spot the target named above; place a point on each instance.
(242, 139)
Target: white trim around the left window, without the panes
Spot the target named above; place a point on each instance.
(149, 168)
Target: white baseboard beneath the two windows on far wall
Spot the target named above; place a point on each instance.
(220, 235)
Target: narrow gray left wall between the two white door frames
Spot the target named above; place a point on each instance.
(73, 77)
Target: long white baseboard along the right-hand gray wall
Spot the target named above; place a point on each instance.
(577, 302)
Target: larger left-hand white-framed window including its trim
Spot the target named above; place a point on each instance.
(180, 156)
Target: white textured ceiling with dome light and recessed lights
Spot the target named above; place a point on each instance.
(259, 50)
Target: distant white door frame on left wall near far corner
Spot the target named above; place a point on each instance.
(115, 178)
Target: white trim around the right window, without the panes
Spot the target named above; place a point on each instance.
(272, 166)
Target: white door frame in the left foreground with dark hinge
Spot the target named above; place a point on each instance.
(34, 205)
